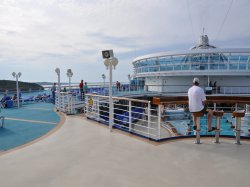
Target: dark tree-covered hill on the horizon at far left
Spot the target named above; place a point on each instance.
(23, 86)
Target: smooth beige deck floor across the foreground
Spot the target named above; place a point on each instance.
(83, 153)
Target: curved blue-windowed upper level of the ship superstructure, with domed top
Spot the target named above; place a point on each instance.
(199, 60)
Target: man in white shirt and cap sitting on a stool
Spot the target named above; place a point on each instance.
(197, 101)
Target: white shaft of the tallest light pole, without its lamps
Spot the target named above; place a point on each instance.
(110, 97)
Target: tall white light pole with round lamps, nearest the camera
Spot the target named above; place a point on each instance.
(109, 63)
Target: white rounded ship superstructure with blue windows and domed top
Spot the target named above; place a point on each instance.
(226, 69)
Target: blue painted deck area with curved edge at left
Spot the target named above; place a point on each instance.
(17, 131)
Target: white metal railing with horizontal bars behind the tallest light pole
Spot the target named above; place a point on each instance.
(131, 115)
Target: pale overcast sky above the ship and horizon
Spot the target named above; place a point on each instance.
(37, 36)
